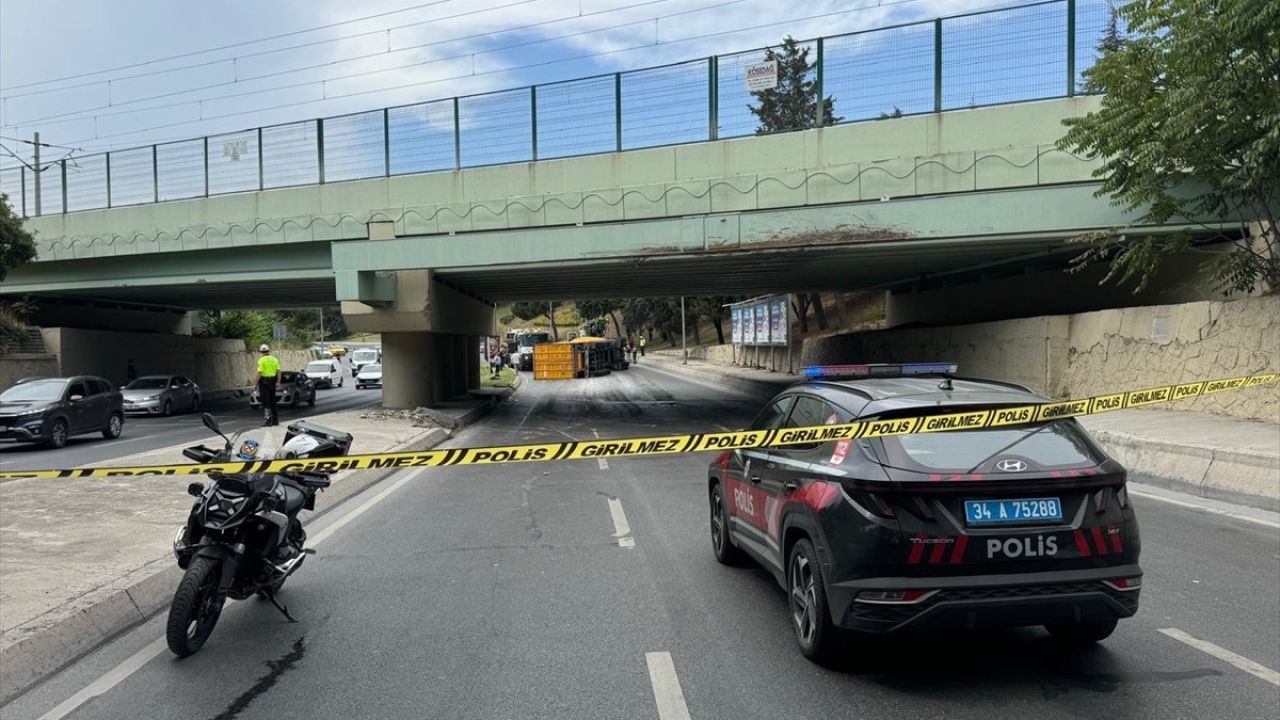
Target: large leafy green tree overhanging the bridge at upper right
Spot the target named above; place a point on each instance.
(1188, 134)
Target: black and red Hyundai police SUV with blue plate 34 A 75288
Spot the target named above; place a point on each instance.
(1021, 525)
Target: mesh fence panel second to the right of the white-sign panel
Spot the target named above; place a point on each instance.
(1004, 57)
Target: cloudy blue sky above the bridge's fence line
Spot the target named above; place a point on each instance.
(98, 75)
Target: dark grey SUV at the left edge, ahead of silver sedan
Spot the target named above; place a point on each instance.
(51, 411)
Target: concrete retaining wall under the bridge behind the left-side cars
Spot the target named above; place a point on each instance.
(216, 364)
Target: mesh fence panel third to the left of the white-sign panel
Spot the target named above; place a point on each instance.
(496, 129)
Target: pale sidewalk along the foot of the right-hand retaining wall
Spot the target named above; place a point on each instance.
(1192, 453)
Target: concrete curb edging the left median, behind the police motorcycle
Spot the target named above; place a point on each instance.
(33, 654)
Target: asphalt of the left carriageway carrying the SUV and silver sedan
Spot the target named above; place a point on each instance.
(147, 432)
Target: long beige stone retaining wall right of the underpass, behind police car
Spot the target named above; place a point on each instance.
(1095, 353)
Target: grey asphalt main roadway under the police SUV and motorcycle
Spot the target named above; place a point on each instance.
(588, 590)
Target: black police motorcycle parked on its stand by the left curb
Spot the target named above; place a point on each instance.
(244, 536)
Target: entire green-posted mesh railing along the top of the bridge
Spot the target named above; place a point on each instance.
(1025, 53)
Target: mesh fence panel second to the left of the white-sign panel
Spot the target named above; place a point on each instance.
(577, 119)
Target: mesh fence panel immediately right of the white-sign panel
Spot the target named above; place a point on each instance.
(880, 74)
